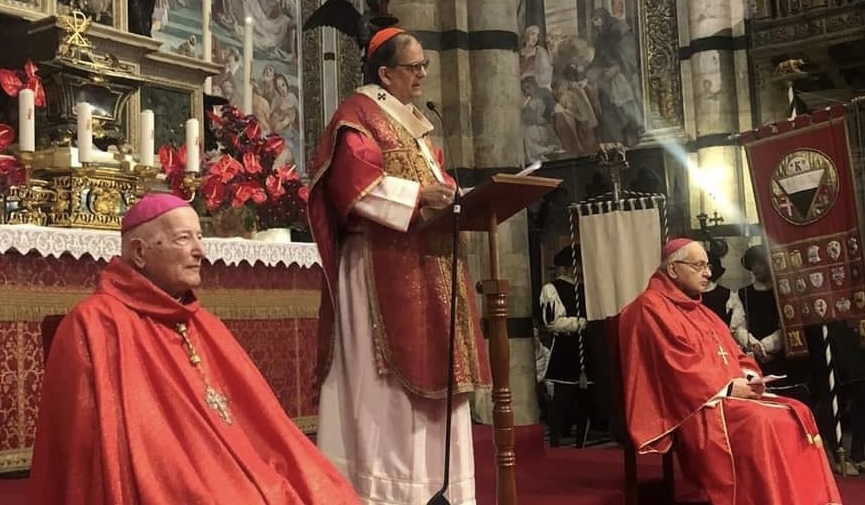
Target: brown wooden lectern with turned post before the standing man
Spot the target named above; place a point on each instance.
(483, 208)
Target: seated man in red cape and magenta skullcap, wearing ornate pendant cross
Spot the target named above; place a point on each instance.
(148, 398)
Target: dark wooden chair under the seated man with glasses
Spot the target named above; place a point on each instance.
(619, 428)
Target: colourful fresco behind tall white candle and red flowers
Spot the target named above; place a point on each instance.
(276, 66)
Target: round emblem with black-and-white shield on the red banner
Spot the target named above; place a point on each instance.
(804, 186)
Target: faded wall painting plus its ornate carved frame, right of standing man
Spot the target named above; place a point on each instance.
(591, 74)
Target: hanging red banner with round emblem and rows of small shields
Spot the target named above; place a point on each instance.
(803, 184)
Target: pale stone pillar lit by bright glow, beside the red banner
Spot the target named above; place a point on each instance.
(715, 70)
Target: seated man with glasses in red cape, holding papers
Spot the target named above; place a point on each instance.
(686, 379)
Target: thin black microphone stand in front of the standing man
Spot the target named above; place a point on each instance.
(439, 497)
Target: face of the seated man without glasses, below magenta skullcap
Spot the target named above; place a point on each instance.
(172, 254)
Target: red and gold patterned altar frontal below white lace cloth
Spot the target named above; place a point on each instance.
(271, 310)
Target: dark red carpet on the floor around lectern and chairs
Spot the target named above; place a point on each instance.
(544, 477)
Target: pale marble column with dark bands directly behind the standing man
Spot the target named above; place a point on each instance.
(474, 78)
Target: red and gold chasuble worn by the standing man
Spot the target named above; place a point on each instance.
(409, 273)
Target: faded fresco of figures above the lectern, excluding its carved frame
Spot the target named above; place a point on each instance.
(580, 76)
